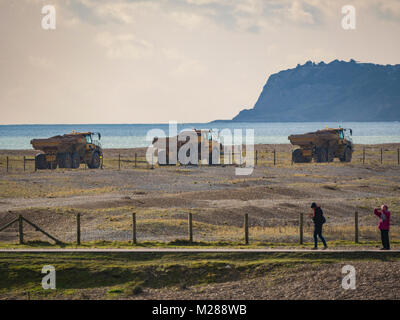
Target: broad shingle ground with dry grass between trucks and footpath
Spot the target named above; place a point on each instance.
(273, 196)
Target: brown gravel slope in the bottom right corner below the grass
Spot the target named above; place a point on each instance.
(374, 280)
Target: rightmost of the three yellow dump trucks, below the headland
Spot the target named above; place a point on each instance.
(323, 145)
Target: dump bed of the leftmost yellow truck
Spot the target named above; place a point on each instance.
(64, 143)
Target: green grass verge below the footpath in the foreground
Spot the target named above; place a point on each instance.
(122, 275)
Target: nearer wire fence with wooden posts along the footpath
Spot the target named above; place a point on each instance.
(186, 228)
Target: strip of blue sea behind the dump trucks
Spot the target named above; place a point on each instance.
(134, 135)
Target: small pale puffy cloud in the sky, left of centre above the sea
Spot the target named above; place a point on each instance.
(123, 46)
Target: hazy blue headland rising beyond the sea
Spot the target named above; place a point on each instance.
(338, 91)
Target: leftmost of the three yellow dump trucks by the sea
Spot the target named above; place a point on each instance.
(69, 151)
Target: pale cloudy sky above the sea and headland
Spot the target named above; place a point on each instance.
(152, 61)
